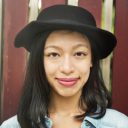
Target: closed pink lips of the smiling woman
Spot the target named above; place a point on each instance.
(67, 82)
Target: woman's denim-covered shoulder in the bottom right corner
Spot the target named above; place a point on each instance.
(115, 118)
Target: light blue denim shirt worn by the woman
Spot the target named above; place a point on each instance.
(112, 119)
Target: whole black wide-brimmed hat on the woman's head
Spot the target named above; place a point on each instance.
(67, 17)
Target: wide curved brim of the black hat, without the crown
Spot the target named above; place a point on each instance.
(101, 39)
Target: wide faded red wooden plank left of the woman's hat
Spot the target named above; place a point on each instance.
(15, 17)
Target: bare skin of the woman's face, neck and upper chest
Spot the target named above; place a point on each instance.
(67, 55)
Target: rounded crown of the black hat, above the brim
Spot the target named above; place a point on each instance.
(66, 14)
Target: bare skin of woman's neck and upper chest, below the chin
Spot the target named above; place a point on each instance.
(62, 112)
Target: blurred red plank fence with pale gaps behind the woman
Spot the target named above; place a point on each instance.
(111, 15)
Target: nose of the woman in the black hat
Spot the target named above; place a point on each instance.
(66, 66)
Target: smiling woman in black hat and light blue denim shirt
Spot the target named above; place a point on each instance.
(63, 87)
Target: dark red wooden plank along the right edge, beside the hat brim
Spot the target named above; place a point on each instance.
(120, 62)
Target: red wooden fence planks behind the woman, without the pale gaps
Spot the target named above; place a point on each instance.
(16, 16)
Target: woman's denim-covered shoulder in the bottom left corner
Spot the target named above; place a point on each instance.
(11, 123)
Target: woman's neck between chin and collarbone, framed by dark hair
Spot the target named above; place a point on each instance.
(64, 105)
